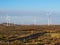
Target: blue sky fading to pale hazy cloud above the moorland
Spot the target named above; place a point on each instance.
(30, 11)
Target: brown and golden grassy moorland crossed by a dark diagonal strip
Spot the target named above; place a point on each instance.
(30, 35)
